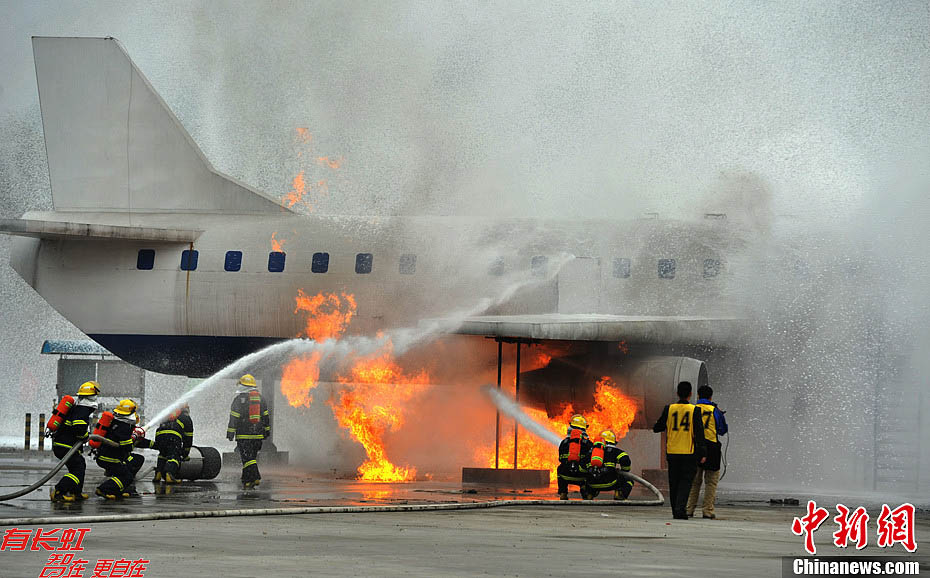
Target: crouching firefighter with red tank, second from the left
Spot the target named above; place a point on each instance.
(119, 464)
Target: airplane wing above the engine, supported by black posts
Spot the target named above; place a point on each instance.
(667, 330)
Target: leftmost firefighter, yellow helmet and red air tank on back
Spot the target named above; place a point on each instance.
(69, 427)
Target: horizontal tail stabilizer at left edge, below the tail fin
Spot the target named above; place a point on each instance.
(87, 231)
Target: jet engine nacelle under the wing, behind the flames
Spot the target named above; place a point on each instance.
(650, 380)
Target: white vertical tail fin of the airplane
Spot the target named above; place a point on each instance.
(114, 145)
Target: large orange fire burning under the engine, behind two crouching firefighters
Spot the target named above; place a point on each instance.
(612, 410)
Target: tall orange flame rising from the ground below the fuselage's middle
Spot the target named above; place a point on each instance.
(371, 404)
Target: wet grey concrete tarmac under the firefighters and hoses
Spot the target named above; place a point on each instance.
(748, 538)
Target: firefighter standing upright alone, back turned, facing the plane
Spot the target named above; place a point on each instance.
(249, 424)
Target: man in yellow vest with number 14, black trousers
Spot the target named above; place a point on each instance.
(684, 447)
